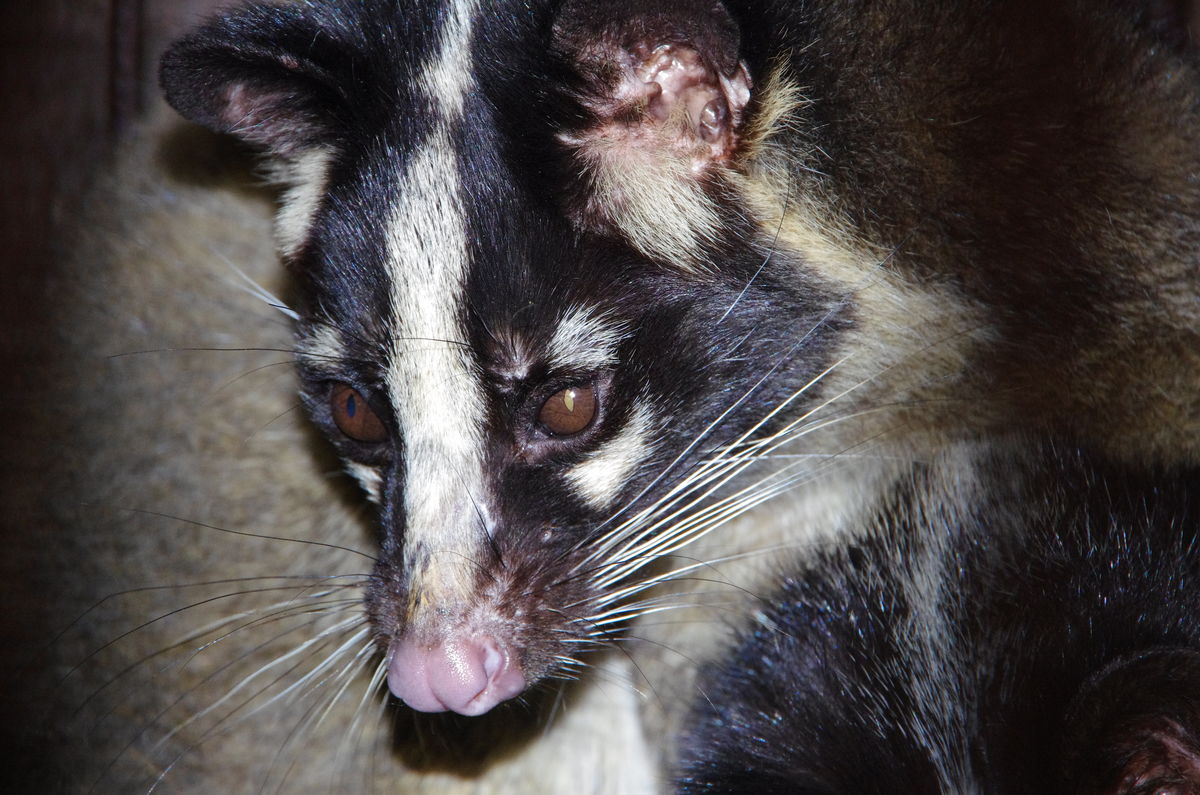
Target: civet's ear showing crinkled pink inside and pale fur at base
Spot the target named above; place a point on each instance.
(663, 97)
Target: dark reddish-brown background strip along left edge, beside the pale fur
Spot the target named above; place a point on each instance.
(74, 75)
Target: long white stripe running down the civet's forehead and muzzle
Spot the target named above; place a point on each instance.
(435, 391)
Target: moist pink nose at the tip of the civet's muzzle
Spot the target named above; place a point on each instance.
(464, 676)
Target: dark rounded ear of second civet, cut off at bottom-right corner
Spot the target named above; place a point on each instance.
(1135, 728)
